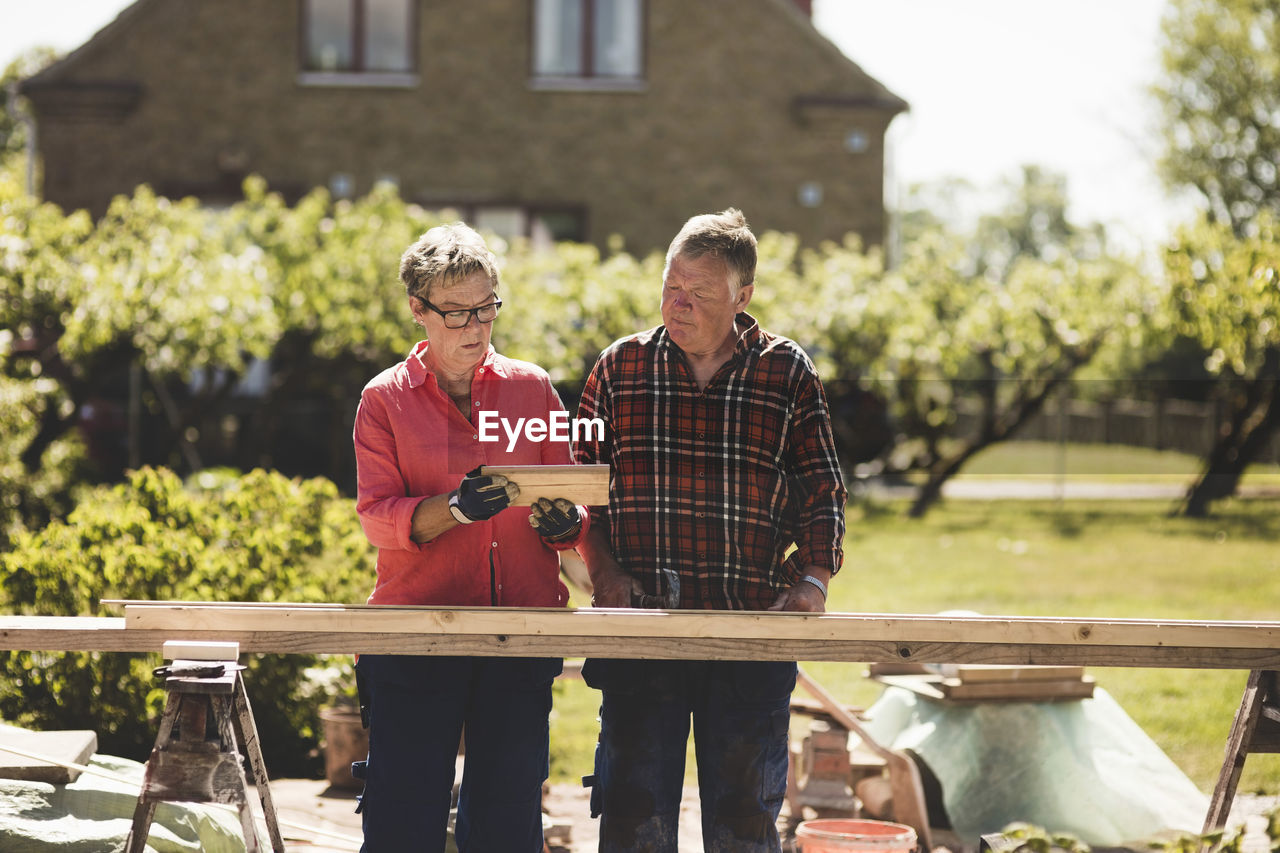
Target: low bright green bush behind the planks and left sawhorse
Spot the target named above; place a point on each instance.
(259, 537)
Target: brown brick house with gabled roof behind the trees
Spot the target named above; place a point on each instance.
(554, 118)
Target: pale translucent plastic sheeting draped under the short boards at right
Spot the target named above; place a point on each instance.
(1082, 768)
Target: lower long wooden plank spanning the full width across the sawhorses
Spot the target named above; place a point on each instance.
(111, 635)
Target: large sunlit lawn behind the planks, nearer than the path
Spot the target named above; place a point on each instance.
(1043, 559)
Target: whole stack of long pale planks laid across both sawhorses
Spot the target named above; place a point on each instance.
(659, 635)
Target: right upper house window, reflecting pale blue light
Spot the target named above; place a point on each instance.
(601, 40)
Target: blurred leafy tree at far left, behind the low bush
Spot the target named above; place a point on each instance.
(157, 286)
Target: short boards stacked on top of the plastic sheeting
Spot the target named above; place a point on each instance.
(991, 683)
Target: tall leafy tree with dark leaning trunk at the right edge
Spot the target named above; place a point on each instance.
(1220, 102)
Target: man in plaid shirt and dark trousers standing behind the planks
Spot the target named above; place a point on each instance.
(723, 458)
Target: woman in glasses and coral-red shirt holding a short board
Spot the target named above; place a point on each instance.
(449, 536)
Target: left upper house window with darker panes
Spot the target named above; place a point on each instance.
(358, 37)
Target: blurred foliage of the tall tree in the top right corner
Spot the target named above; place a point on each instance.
(1220, 99)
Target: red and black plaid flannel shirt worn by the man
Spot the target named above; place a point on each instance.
(716, 485)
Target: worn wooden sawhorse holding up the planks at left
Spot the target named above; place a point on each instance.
(195, 763)
